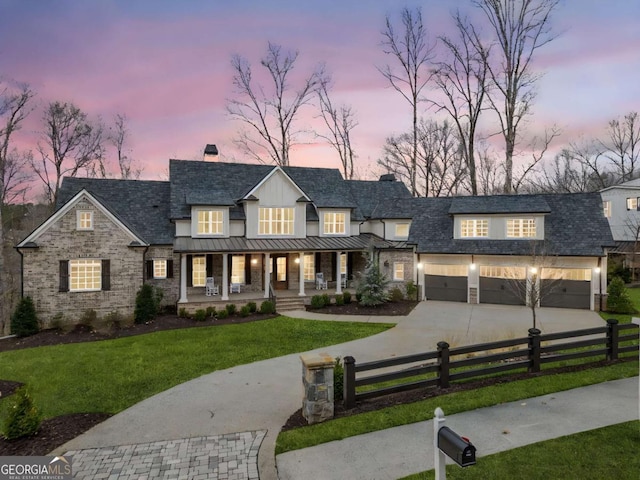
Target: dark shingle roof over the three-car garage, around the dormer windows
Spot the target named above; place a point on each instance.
(574, 226)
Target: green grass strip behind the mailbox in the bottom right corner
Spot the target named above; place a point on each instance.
(609, 452)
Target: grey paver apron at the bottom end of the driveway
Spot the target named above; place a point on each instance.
(219, 457)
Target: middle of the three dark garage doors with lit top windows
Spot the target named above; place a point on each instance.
(502, 285)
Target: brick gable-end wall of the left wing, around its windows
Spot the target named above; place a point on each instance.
(62, 241)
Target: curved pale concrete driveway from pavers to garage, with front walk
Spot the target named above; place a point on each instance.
(260, 397)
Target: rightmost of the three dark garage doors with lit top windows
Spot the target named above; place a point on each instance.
(565, 288)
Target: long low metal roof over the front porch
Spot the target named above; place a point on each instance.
(241, 244)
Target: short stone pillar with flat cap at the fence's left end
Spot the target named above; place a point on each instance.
(317, 378)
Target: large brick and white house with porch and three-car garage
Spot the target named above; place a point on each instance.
(270, 231)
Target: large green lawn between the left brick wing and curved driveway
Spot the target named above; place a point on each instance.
(111, 375)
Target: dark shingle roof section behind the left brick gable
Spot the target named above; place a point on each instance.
(143, 206)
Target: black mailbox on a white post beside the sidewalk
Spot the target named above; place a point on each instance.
(448, 443)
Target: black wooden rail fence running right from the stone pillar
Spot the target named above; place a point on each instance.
(529, 353)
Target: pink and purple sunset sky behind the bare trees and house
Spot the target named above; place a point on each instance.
(166, 66)
